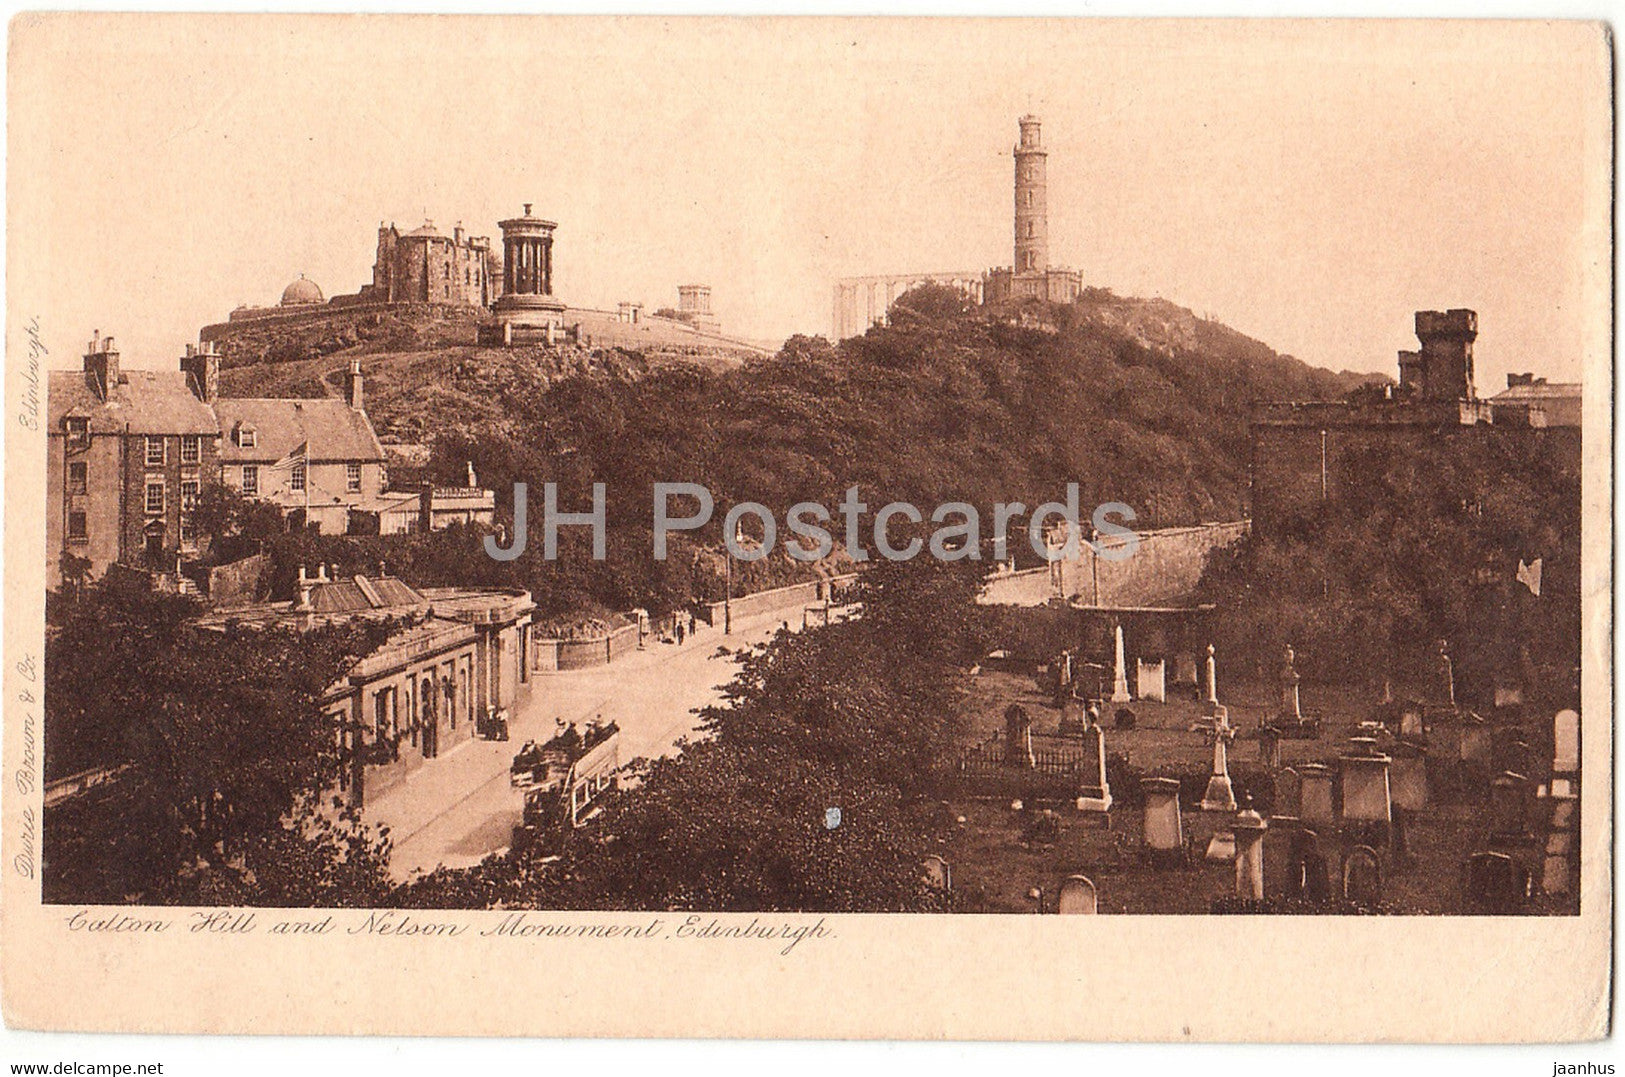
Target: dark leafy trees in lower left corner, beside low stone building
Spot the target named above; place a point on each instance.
(225, 750)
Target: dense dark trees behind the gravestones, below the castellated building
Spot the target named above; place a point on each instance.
(1426, 551)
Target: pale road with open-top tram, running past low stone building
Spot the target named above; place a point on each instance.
(459, 808)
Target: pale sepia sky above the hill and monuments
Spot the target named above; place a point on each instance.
(1309, 184)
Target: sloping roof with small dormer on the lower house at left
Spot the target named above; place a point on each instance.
(329, 428)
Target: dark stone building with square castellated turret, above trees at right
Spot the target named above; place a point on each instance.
(1307, 454)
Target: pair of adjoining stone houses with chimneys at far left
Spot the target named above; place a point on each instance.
(129, 452)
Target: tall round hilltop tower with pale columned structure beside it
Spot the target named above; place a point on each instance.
(865, 301)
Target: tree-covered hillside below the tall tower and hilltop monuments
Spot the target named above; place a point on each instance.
(1138, 400)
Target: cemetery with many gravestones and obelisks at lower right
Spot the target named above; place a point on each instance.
(1137, 794)
